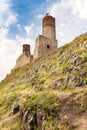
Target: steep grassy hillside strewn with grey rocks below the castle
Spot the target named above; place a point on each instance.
(48, 94)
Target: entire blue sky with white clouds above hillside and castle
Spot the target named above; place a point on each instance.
(20, 23)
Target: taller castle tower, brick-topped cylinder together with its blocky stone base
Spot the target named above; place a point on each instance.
(47, 41)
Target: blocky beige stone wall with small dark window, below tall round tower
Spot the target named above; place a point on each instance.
(43, 46)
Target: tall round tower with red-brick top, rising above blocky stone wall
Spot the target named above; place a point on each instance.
(48, 27)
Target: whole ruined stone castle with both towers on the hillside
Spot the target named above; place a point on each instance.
(44, 43)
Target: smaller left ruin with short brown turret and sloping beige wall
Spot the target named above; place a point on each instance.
(25, 57)
